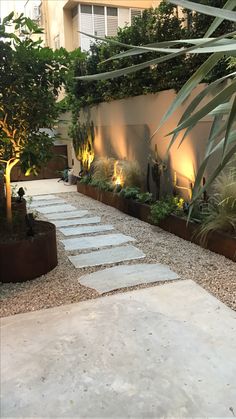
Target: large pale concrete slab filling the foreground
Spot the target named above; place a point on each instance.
(167, 351)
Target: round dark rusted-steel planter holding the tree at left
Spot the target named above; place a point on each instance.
(28, 258)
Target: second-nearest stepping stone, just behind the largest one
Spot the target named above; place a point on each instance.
(106, 256)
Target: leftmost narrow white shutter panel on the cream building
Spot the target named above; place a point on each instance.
(86, 25)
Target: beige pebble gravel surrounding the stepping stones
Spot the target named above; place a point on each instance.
(213, 272)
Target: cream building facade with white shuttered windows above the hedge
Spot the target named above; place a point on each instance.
(62, 19)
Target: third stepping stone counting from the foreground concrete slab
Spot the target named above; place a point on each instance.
(83, 243)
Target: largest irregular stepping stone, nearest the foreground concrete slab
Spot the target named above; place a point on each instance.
(126, 276)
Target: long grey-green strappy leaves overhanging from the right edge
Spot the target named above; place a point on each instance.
(221, 106)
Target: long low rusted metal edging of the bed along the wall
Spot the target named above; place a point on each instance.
(217, 242)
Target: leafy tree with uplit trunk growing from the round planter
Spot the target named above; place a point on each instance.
(31, 77)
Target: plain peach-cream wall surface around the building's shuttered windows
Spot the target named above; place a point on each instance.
(57, 19)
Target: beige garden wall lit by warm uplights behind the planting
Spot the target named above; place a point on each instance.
(123, 129)
